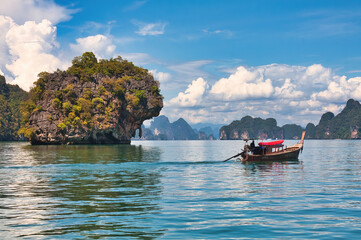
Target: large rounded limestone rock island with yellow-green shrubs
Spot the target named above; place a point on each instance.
(93, 102)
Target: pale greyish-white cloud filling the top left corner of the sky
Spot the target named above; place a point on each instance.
(35, 10)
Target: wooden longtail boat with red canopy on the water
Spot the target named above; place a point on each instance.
(270, 151)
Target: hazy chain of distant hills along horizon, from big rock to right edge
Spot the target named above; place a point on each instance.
(343, 126)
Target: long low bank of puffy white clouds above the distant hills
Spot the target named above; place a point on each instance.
(289, 93)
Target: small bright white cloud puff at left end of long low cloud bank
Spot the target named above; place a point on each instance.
(192, 96)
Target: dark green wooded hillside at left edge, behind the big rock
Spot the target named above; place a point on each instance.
(11, 97)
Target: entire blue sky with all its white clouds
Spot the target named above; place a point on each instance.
(216, 61)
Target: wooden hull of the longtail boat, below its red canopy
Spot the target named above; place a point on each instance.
(279, 156)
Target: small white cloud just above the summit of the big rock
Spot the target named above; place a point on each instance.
(99, 44)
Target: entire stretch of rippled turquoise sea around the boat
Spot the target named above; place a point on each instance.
(178, 190)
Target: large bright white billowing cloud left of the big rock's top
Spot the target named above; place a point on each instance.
(30, 46)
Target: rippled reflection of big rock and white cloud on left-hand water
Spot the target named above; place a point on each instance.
(98, 191)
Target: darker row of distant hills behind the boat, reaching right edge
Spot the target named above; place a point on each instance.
(345, 125)
